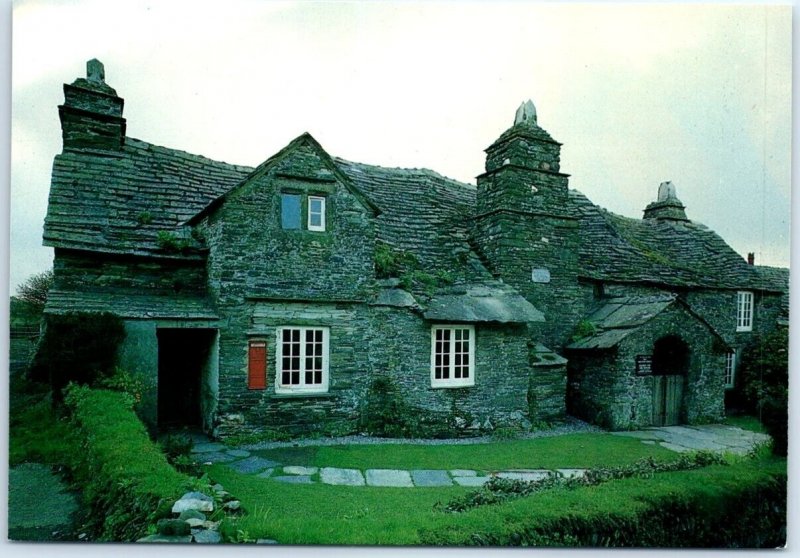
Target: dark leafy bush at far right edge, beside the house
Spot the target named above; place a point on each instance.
(765, 384)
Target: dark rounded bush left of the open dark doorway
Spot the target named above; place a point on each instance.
(79, 347)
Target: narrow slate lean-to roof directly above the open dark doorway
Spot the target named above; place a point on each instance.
(131, 304)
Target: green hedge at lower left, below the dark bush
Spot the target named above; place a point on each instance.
(128, 483)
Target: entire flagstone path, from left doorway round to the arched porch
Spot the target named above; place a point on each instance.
(717, 437)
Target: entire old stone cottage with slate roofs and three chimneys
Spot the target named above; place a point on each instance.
(279, 296)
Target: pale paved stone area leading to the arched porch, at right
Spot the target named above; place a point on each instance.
(712, 437)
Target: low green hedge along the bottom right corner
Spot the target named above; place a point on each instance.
(736, 506)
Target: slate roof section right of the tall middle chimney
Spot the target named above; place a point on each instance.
(681, 254)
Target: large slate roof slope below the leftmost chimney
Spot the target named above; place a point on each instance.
(120, 202)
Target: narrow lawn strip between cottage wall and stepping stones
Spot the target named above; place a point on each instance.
(571, 451)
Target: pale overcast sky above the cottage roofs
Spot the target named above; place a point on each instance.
(638, 94)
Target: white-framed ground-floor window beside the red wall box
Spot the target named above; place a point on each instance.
(302, 360)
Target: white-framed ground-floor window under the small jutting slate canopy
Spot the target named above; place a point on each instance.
(452, 356)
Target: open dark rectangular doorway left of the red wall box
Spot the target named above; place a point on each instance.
(183, 356)
